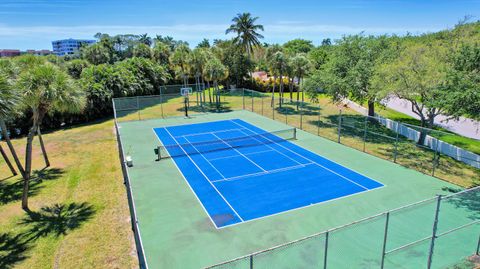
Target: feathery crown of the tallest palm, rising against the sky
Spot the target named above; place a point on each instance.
(243, 25)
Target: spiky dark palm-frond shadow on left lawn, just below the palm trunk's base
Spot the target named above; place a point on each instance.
(57, 219)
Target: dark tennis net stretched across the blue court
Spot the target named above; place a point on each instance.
(176, 150)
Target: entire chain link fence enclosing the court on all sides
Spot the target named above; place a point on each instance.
(434, 233)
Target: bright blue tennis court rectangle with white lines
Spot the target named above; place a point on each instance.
(240, 172)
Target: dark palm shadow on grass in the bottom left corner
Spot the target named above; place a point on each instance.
(12, 250)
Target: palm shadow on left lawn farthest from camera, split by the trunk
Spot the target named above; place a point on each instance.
(10, 192)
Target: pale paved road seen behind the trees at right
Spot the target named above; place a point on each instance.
(463, 126)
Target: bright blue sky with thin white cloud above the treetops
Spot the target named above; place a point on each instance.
(26, 24)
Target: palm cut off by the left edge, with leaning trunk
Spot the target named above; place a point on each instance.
(8, 101)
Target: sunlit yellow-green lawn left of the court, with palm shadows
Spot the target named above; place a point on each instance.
(80, 213)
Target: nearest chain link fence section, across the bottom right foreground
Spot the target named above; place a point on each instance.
(434, 233)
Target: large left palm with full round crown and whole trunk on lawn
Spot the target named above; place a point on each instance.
(45, 89)
